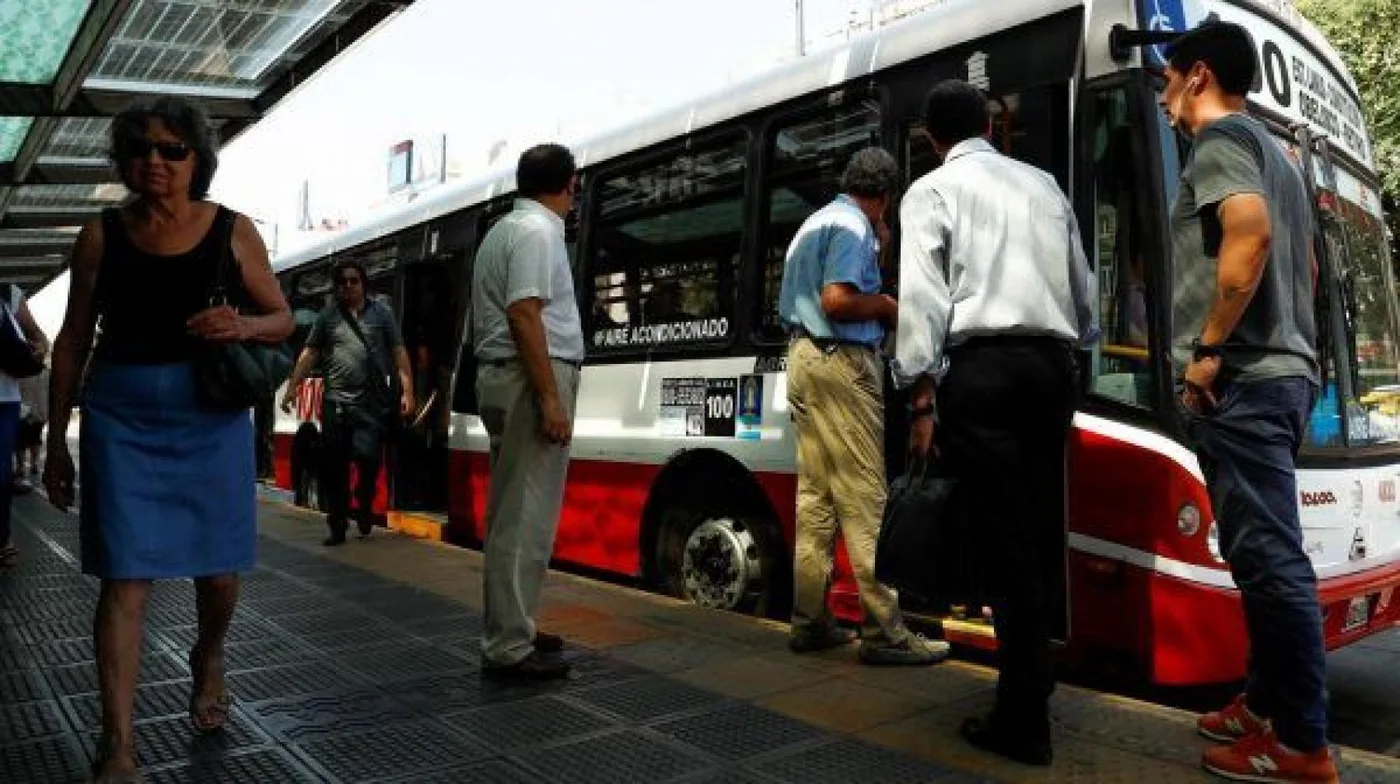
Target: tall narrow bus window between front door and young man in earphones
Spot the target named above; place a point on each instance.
(1122, 369)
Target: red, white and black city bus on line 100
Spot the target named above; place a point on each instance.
(684, 464)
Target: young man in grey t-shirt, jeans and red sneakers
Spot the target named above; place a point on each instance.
(1245, 352)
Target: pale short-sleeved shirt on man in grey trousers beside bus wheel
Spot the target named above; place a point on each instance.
(523, 257)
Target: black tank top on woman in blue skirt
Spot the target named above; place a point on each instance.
(146, 299)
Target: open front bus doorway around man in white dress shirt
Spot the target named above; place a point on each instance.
(1031, 125)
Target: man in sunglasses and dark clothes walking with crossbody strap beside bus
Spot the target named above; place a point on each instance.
(356, 341)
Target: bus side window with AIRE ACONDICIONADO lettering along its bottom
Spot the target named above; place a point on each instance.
(664, 250)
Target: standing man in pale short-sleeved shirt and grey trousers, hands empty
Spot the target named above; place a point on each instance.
(530, 344)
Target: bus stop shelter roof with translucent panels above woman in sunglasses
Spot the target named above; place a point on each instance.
(69, 66)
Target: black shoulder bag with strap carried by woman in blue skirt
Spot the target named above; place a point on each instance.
(236, 376)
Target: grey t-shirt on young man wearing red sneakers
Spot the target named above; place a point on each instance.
(1277, 337)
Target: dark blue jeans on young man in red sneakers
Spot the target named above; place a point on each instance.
(1247, 449)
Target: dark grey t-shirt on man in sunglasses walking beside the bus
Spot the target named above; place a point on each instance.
(344, 358)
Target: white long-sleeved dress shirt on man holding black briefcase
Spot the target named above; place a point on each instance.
(989, 246)
